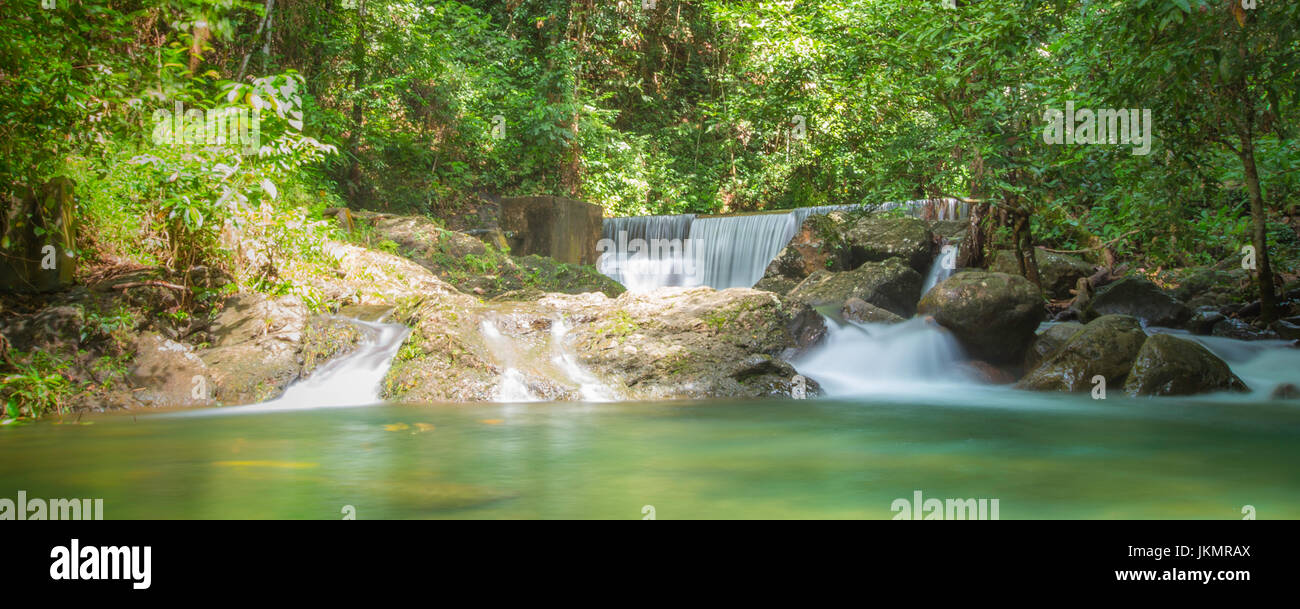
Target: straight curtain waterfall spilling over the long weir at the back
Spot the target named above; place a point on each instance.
(645, 253)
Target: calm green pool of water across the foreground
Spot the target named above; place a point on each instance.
(1042, 456)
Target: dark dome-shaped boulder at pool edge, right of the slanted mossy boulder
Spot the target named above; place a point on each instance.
(1172, 366)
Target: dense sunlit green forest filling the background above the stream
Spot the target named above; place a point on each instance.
(200, 135)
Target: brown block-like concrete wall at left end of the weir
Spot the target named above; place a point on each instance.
(554, 227)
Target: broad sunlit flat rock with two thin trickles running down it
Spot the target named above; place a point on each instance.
(670, 344)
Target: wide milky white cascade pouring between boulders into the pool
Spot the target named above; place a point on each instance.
(859, 360)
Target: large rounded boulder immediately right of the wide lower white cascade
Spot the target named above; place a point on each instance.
(994, 316)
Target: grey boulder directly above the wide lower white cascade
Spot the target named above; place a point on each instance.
(890, 286)
